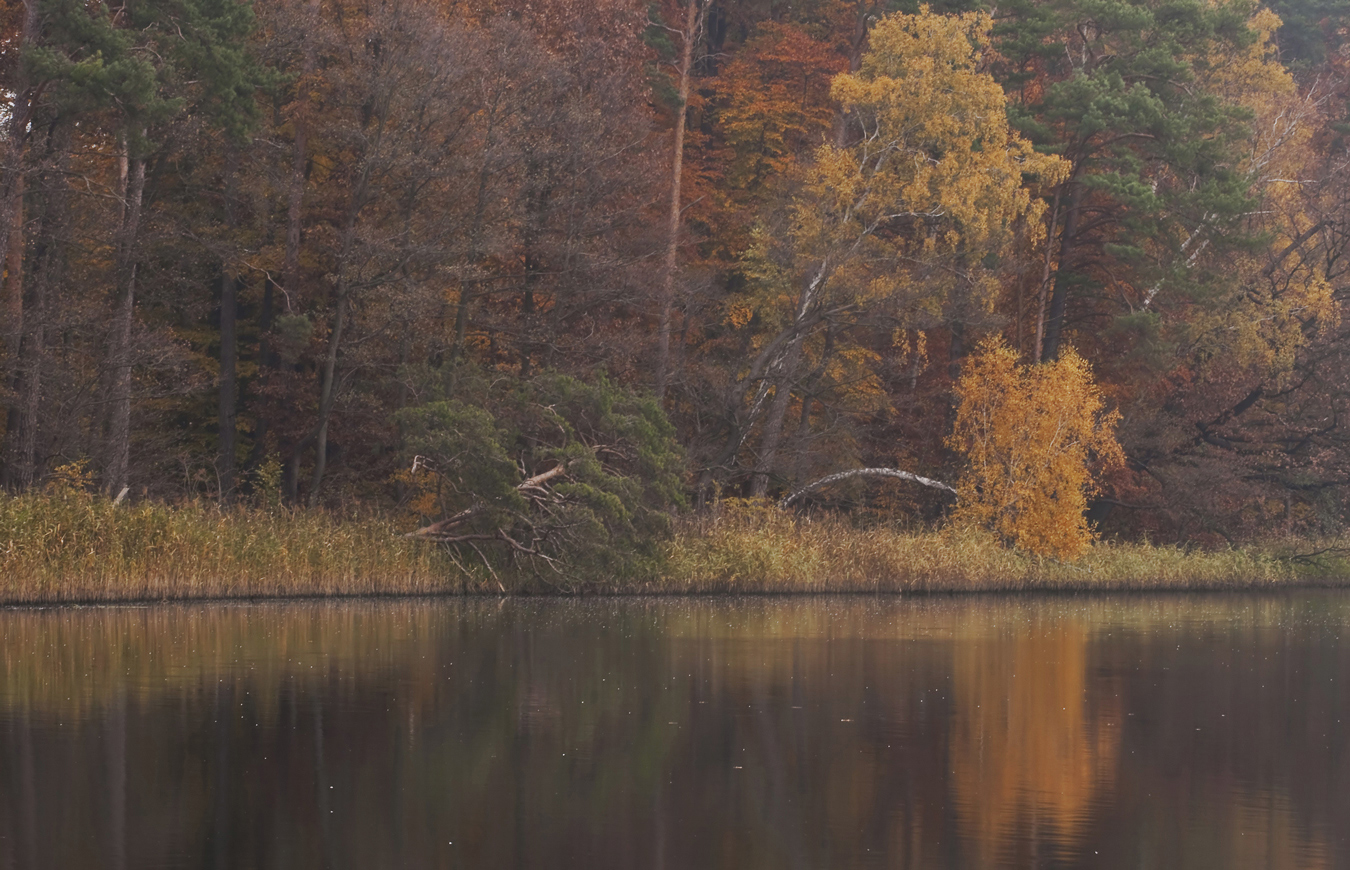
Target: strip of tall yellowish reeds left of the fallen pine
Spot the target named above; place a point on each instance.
(75, 548)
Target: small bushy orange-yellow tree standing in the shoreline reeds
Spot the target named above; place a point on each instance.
(1029, 436)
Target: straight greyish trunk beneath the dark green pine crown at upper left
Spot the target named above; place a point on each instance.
(119, 344)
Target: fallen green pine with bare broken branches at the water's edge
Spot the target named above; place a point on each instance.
(547, 474)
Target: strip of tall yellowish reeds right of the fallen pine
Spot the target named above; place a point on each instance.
(767, 551)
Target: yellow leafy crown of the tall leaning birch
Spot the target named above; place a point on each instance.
(929, 187)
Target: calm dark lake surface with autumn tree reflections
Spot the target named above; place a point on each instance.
(797, 733)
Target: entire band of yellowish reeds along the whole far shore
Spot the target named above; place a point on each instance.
(80, 549)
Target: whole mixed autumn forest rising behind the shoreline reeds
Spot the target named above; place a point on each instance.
(570, 257)
